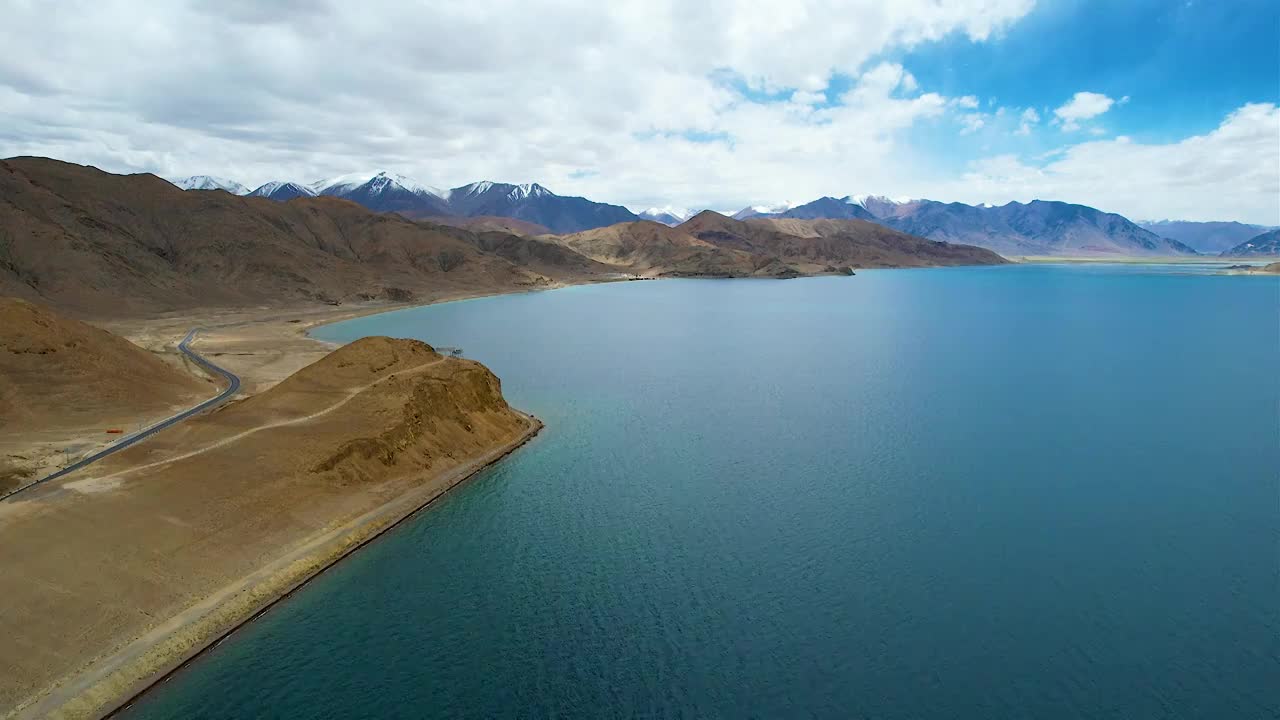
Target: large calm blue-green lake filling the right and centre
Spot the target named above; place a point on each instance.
(1000, 493)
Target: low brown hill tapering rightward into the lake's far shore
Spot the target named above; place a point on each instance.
(815, 245)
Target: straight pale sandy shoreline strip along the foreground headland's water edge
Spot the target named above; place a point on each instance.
(113, 683)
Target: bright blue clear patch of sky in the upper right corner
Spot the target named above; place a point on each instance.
(1185, 65)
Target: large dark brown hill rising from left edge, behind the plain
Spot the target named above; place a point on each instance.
(100, 244)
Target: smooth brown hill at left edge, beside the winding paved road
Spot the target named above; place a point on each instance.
(62, 373)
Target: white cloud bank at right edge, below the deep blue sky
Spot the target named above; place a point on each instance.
(1229, 174)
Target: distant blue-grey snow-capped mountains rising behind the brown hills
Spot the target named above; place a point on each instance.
(1040, 227)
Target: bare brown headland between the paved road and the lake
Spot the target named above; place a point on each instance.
(223, 514)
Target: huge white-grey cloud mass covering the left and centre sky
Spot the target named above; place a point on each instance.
(636, 102)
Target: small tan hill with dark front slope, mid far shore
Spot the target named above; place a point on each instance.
(652, 249)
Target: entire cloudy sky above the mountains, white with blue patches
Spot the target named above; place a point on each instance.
(1153, 110)
